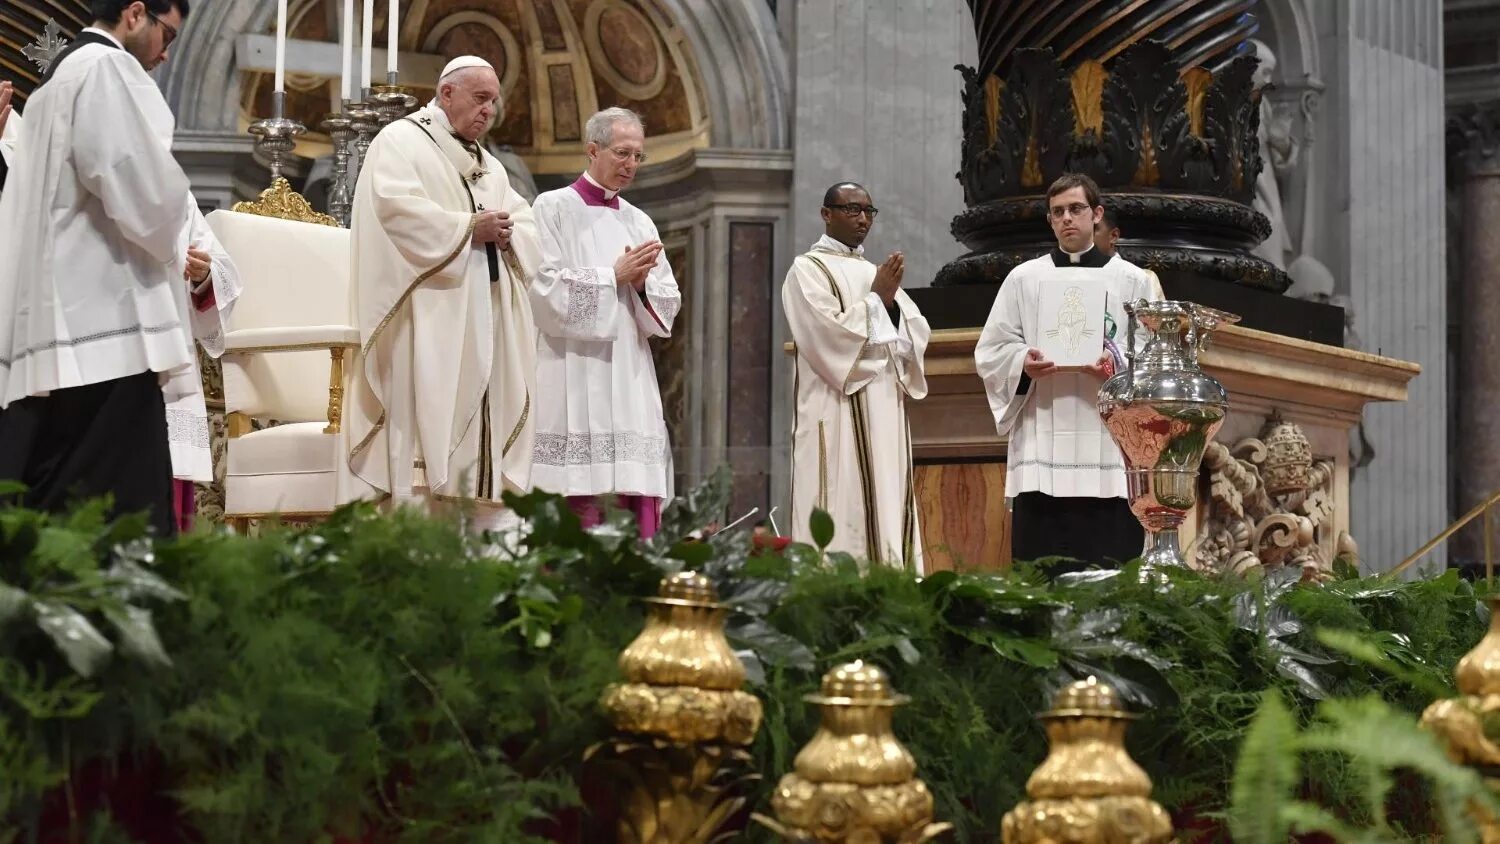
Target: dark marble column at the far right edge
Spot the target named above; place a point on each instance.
(1478, 464)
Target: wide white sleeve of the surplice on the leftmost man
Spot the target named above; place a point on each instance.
(124, 157)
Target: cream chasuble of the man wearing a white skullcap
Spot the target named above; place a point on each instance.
(443, 400)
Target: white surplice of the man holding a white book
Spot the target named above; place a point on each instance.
(1058, 444)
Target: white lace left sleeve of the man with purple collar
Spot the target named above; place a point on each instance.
(574, 304)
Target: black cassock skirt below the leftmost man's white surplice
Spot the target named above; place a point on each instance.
(83, 443)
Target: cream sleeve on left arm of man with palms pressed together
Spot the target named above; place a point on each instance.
(833, 341)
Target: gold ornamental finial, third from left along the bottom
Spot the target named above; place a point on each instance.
(1088, 791)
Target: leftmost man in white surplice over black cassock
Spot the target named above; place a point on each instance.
(92, 292)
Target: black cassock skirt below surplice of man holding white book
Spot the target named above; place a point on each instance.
(1088, 531)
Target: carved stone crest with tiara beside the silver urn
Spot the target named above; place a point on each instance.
(1270, 506)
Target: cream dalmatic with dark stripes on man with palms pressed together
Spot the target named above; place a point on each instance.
(856, 371)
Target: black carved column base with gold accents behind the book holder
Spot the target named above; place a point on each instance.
(1177, 151)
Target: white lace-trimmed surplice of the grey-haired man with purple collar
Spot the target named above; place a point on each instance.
(599, 421)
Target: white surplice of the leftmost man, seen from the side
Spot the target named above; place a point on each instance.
(94, 290)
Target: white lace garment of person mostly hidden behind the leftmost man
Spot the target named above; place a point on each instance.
(187, 412)
